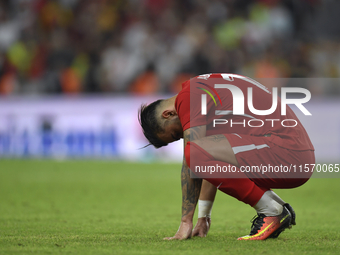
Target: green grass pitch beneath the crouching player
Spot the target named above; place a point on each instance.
(92, 207)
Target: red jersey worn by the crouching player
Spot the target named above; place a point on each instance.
(202, 102)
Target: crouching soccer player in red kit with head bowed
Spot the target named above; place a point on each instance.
(242, 147)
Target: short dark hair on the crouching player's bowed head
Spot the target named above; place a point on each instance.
(150, 125)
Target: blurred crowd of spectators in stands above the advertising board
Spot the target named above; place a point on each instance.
(152, 46)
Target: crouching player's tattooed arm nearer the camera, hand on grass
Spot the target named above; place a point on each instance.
(190, 188)
